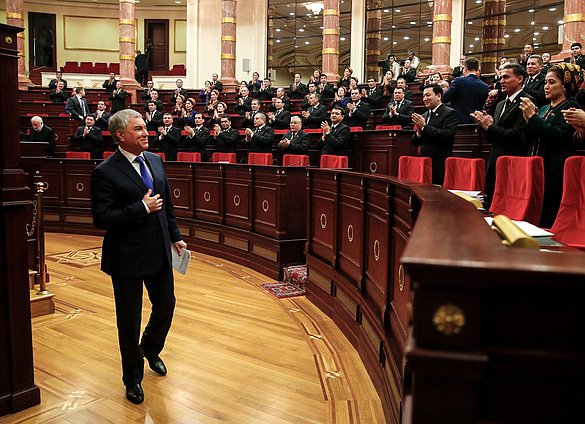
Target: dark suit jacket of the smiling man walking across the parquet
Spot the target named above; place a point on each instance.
(136, 243)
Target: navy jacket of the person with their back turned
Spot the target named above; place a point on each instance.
(466, 95)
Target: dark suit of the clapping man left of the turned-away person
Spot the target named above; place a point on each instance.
(437, 139)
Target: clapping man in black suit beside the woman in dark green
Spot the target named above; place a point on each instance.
(506, 131)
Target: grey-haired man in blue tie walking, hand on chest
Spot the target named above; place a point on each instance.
(130, 200)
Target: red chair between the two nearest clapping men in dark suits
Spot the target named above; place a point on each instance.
(464, 174)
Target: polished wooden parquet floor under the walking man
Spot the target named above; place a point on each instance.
(235, 354)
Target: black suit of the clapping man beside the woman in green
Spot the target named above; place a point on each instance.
(507, 135)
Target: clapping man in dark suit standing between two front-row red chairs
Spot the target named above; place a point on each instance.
(435, 131)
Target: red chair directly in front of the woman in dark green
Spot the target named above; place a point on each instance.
(519, 189)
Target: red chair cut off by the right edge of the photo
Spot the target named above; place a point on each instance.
(569, 226)
